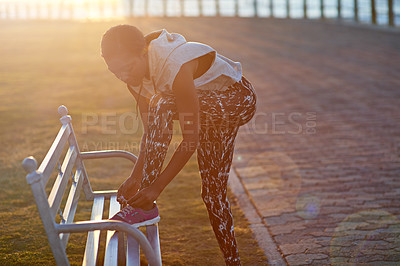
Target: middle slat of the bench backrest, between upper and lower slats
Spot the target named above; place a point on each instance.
(60, 184)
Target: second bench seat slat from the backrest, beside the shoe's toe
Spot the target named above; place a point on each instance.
(111, 257)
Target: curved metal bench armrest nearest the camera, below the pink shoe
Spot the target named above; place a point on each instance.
(114, 226)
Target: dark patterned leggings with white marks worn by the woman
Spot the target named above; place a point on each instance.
(221, 115)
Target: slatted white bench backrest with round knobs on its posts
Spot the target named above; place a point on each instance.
(49, 205)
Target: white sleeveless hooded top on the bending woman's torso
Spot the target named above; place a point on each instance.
(169, 52)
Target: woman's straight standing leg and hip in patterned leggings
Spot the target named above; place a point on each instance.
(222, 113)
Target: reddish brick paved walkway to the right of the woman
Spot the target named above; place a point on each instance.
(320, 160)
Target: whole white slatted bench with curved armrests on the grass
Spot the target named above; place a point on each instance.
(49, 206)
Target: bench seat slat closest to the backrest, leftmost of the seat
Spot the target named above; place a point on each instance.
(92, 243)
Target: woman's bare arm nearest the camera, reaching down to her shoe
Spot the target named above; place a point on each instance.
(187, 104)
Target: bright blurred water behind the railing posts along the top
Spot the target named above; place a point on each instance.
(99, 9)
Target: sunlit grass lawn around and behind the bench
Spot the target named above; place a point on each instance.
(46, 64)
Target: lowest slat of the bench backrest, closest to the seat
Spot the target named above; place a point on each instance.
(72, 203)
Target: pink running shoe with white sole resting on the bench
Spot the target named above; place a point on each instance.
(136, 216)
